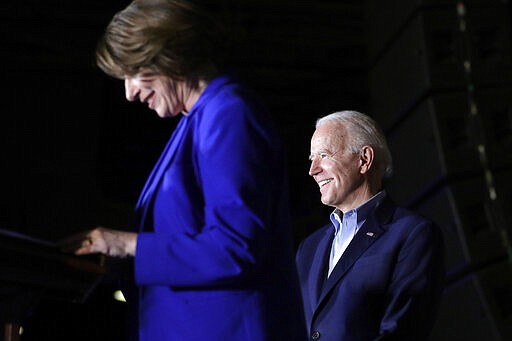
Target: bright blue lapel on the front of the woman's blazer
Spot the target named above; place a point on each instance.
(153, 181)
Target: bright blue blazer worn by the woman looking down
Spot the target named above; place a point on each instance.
(214, 258)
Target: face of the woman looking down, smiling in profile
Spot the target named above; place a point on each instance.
(160, 93)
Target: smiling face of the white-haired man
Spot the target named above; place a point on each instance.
(335, 169)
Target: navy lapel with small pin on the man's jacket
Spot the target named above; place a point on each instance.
(369, 232)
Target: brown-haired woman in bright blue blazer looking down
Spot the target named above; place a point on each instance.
(212, 250)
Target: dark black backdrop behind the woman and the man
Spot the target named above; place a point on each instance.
(437, 75)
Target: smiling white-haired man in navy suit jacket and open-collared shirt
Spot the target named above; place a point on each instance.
(376, 272)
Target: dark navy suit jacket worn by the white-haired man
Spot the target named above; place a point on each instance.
(386, 286)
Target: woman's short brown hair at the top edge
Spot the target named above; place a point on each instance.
(170, 37)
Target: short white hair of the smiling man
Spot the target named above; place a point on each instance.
(363, 131)
